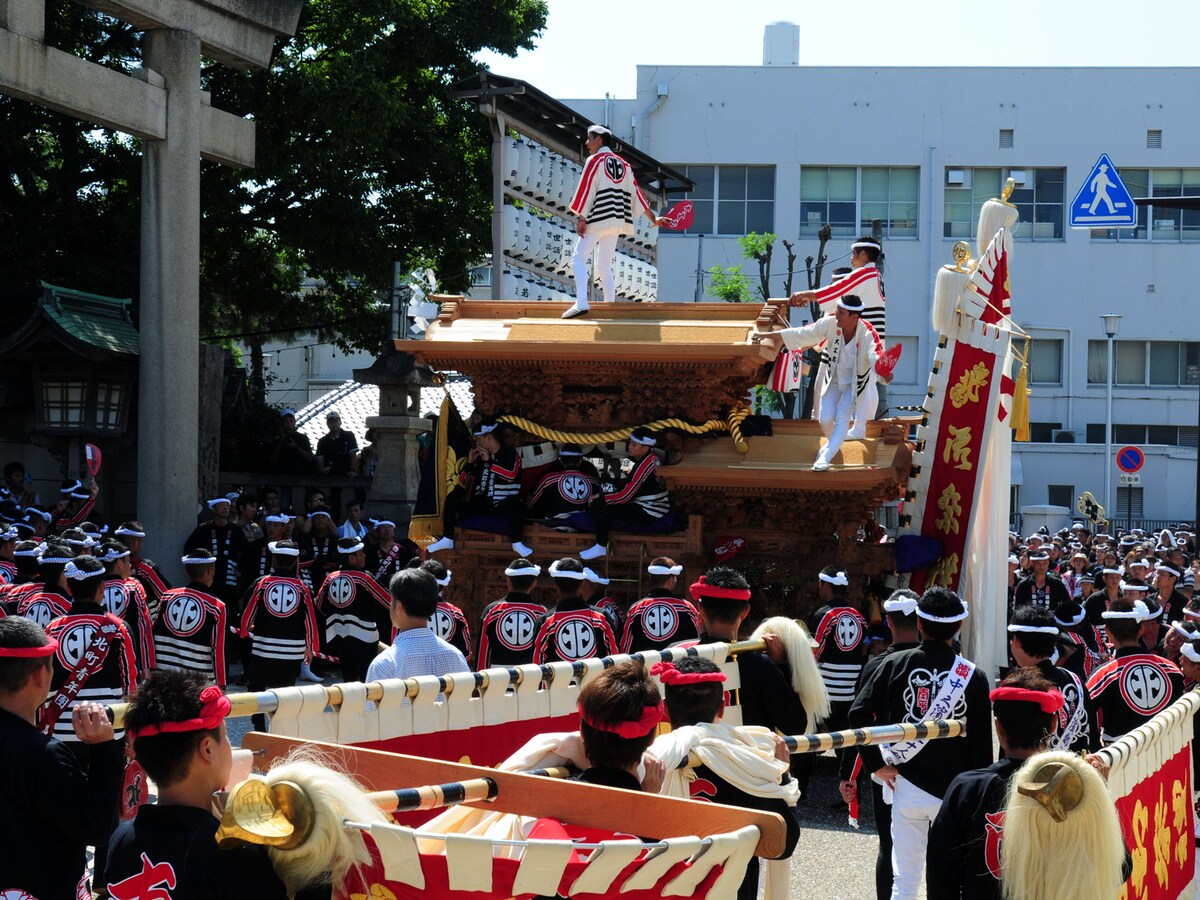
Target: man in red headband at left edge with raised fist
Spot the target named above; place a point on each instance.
(53, 807)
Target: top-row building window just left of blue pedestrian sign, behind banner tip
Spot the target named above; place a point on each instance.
(1039, 197)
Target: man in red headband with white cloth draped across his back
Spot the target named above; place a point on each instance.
(741, 766)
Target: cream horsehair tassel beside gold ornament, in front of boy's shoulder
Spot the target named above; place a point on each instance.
(332, 850)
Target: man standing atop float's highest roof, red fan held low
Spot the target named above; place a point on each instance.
(605, 202)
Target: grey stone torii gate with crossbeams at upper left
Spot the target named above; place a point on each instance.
(164, 105)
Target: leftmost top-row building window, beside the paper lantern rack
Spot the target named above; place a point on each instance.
(733, 200)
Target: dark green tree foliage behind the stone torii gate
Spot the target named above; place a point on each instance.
(362, 160)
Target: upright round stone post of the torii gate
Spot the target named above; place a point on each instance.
(169, 383)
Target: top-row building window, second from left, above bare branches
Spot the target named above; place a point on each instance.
(850, 200)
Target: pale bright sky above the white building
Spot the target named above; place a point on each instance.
(593, 47)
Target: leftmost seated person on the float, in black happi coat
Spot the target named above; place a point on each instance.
(489, 495)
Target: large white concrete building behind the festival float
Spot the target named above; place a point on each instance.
(783, 148)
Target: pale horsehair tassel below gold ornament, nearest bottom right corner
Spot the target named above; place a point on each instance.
(1077, 860)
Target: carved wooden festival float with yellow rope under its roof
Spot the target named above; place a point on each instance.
(686, 370)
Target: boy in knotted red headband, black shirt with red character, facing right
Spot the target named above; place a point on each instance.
(177, 724)
